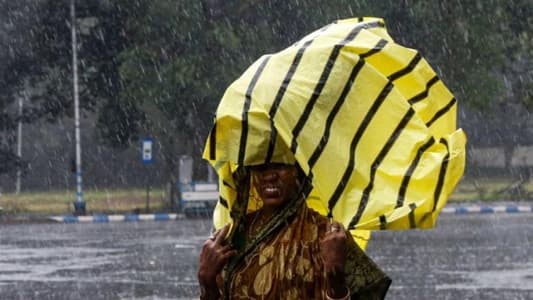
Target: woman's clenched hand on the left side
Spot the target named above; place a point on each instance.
(215, 254)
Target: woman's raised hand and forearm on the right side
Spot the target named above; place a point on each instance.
(333, 252)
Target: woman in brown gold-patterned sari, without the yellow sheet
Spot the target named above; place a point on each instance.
(284, 250)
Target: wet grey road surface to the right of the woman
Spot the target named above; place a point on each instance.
(466, 257)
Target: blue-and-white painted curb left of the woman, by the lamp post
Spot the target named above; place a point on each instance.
(101, 218)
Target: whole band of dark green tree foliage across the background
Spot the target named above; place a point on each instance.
(159, 67)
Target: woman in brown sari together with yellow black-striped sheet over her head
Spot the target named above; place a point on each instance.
(380, 150)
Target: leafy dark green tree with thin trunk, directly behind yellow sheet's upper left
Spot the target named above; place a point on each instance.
(184, 54)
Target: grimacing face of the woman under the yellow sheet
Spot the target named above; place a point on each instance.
(276, 183)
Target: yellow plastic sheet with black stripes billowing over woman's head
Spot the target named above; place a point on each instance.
(366, 119)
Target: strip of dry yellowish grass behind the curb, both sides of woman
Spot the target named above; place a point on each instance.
(112, 201)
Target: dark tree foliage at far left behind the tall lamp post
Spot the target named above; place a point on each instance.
(36, 48)
